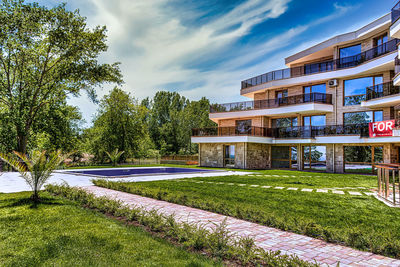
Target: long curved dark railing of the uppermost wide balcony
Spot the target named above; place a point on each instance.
(320, 67)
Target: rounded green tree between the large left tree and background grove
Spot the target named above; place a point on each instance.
(119, 124)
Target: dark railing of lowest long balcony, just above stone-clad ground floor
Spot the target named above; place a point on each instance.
(287, 132)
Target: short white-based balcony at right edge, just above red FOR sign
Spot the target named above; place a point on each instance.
(382, 95)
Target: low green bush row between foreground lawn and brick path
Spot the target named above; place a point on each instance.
(218, 243)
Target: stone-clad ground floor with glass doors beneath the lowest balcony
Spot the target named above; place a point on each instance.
(333, 158)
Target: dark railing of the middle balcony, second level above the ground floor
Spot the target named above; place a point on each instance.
(273, 103)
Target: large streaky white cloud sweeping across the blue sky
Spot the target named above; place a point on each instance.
(156, 46)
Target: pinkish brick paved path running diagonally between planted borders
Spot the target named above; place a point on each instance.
(304, 247)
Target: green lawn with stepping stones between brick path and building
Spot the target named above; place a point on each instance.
(358, 221)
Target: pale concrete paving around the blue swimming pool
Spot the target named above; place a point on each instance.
(11, 182)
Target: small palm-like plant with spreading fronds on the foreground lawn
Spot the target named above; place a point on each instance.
(36, 168)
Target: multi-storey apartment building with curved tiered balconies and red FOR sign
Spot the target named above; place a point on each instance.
(334, 109)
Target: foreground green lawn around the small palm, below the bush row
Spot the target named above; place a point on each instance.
(58, 232)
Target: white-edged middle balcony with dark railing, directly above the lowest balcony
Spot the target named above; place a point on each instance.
(303, 104)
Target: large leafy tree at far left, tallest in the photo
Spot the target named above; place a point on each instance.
(45, 55)
